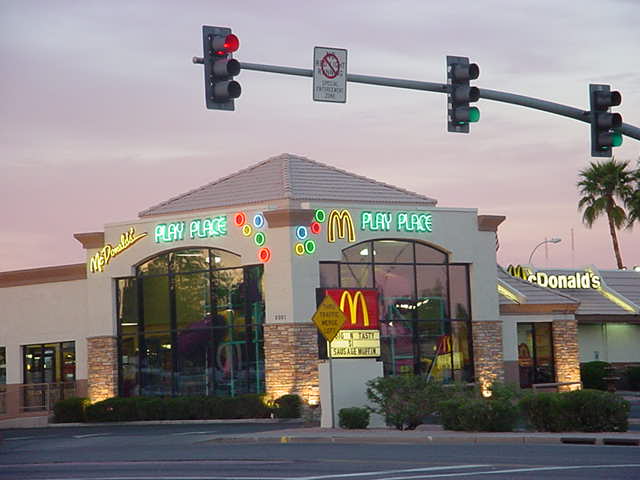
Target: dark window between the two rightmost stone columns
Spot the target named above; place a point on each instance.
(535, 353)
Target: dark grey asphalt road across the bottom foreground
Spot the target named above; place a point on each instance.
(188, 452)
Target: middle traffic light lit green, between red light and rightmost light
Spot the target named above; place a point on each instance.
(460, 94)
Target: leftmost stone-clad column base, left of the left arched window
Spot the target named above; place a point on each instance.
(102, 355)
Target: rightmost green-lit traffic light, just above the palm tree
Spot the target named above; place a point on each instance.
(606, 127)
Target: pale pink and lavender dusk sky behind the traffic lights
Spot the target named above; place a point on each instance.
(102, 112)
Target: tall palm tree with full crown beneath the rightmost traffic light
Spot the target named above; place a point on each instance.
(602, 185)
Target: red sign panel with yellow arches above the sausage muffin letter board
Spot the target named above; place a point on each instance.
(360, 307)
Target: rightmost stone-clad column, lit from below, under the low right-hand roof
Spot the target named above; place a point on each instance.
(565, 352)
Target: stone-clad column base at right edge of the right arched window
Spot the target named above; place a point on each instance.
(487, 352)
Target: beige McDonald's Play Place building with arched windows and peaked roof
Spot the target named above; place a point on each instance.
(213, 292)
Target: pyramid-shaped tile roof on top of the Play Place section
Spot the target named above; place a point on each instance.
(289, 177)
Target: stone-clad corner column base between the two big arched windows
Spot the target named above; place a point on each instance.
(291, 358)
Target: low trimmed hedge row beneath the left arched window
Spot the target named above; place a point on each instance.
(121, 409)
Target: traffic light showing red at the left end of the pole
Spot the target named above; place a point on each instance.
(219, 67)
